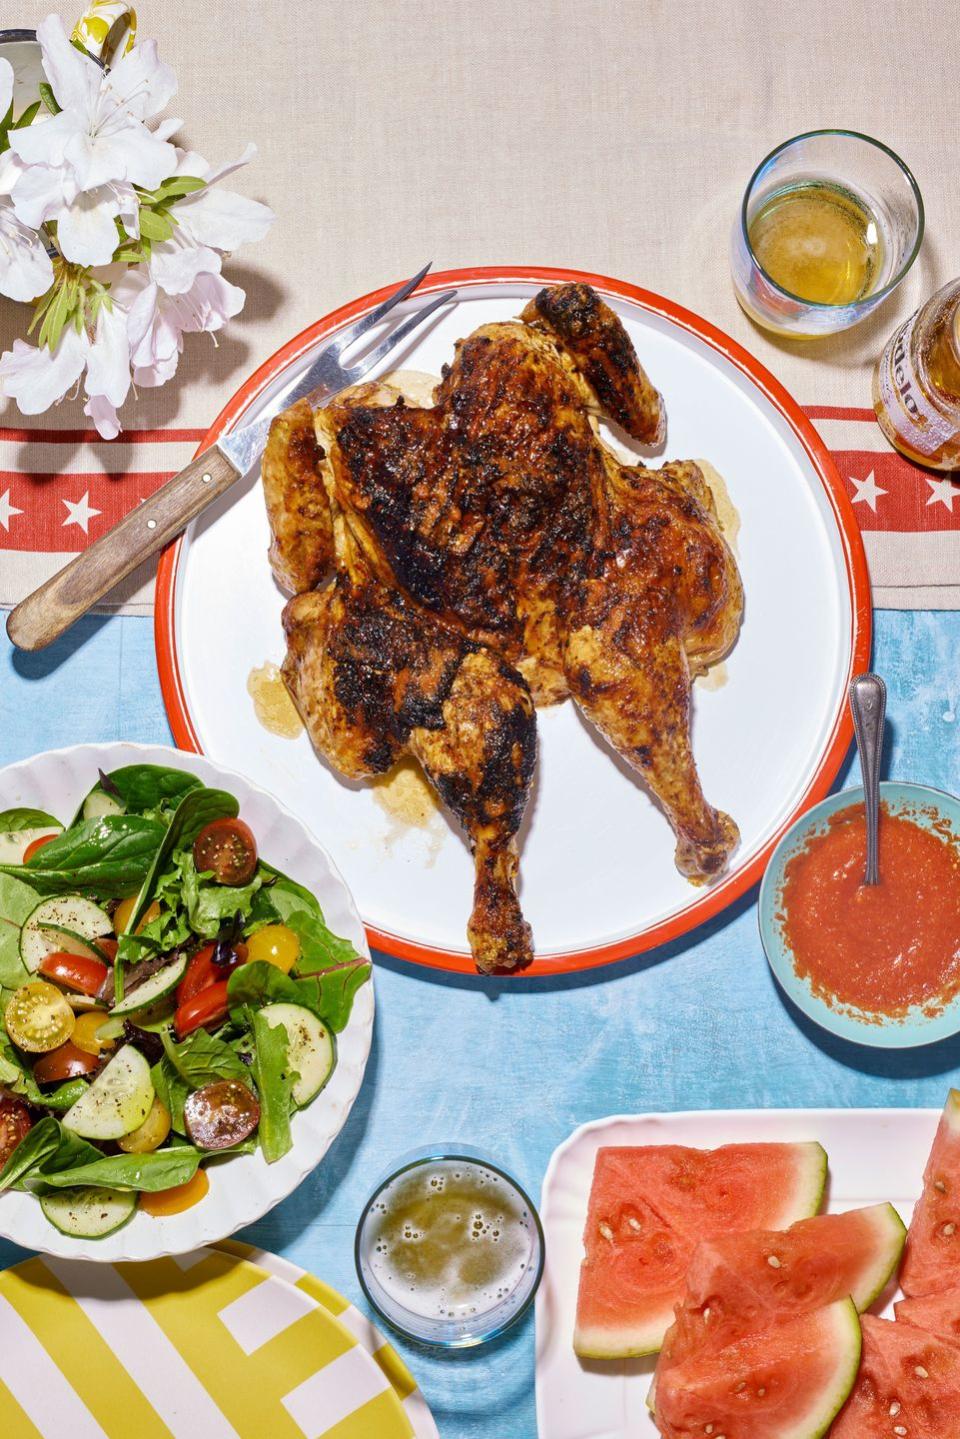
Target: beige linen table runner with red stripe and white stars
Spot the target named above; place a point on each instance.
(611, 136)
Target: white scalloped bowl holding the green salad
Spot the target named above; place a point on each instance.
(247, 1186)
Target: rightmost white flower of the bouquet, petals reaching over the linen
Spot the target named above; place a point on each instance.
(208, 222)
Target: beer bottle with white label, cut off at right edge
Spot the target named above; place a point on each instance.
(918, 383)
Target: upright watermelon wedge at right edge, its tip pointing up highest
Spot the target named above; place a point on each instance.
(932, 1263)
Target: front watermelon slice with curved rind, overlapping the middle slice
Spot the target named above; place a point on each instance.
(787, 1384)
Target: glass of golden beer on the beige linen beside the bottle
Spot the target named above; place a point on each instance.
(830, 225)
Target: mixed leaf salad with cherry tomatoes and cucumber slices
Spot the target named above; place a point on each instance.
(169, 999)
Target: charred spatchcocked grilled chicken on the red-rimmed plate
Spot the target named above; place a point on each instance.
(454, 566)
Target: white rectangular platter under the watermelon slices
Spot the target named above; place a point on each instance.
(874, 1156)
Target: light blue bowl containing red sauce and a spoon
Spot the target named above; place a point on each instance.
(928, 808)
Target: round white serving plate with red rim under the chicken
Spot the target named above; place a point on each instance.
(598, 876)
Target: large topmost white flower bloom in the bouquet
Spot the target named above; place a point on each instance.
(80, 168)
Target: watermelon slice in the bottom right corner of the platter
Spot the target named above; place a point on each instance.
(909, 1385)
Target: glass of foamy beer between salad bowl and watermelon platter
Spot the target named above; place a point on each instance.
(450, 1248)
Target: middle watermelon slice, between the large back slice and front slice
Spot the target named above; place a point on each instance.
(745, 1283)
